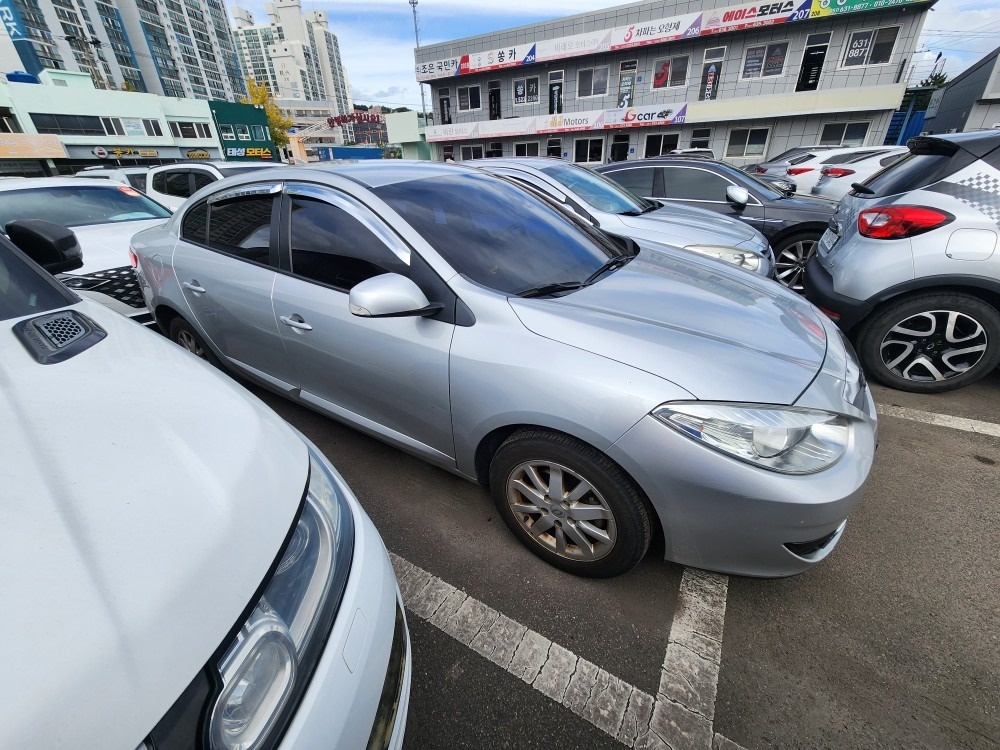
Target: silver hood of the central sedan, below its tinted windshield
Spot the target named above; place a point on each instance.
(720, 333)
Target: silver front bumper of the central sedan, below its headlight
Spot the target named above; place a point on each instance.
(721, 514)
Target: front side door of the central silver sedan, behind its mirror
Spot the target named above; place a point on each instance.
(388, 376)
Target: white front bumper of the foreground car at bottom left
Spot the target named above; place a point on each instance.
(360, 691)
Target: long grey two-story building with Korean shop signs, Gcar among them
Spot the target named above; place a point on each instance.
(639, 80)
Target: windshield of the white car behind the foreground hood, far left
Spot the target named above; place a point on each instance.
(74, 206)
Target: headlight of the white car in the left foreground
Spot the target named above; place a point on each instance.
(268, 665)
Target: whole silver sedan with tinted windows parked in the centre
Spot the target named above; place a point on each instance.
(596, 391)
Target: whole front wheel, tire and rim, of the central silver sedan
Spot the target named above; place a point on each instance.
(610, 517)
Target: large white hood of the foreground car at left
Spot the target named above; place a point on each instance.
(134, 531)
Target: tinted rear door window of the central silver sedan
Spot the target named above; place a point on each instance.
(242, 227)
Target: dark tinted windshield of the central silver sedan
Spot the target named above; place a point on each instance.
(497, 234)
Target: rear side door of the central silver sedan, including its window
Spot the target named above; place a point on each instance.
(225, 264)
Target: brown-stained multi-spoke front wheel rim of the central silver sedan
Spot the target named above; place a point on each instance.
(561, 511)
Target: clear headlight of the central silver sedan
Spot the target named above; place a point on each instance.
(786, 439)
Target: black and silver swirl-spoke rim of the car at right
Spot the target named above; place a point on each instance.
(933, 346)
